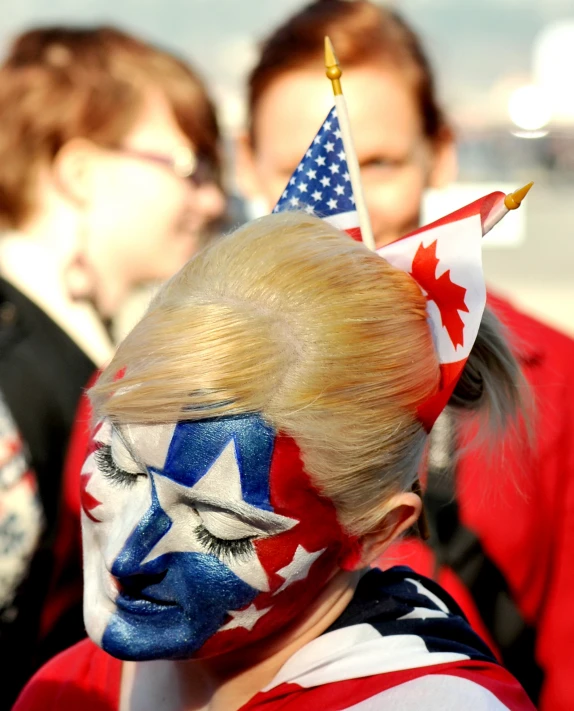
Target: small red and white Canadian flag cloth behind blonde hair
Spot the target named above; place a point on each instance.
(445, 259)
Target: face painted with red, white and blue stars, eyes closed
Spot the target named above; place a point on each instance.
(200, 537)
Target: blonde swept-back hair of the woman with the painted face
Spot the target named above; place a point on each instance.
(290, 318)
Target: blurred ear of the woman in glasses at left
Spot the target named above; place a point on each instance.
(72, 169)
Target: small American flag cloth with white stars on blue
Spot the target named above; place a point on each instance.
(321, 184)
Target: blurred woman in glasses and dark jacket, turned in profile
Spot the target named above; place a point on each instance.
(109, 178)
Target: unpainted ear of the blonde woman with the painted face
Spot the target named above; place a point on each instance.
(402, 512)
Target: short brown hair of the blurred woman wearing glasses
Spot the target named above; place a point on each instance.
(59, 83)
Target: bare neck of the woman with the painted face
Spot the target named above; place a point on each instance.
(227, 682)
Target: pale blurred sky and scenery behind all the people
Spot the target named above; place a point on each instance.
(506, 75)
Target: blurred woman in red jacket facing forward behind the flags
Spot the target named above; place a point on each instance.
(502, 541)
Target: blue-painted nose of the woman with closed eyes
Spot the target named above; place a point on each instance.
(151, 528)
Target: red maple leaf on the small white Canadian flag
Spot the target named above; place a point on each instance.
(448, 296)
